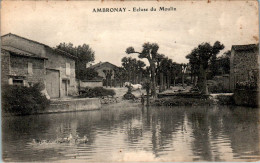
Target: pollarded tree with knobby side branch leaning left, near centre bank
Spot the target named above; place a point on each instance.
(150, 52)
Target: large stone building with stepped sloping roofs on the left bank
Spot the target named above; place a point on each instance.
(55, 68)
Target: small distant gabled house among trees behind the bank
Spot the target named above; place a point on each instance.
(100, 67)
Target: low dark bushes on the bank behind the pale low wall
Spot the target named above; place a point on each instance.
(97, 92)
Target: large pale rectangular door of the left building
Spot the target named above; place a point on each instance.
(53, 83)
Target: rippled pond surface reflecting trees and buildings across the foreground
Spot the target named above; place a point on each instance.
(119, 133)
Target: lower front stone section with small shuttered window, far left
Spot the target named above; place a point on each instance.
(21, 68)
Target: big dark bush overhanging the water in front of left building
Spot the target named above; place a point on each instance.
(23, 100)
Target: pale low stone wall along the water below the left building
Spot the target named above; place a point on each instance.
(71, 105)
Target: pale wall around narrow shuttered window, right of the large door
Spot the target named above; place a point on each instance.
(58, 62)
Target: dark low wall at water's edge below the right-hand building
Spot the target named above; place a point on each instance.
(246, 97)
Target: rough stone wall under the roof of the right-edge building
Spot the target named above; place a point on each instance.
(241, 63)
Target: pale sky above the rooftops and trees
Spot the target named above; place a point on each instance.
(110, 33)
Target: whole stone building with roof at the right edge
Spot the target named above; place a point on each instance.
(244, 64)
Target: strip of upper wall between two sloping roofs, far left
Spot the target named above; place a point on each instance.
(23, 44)
